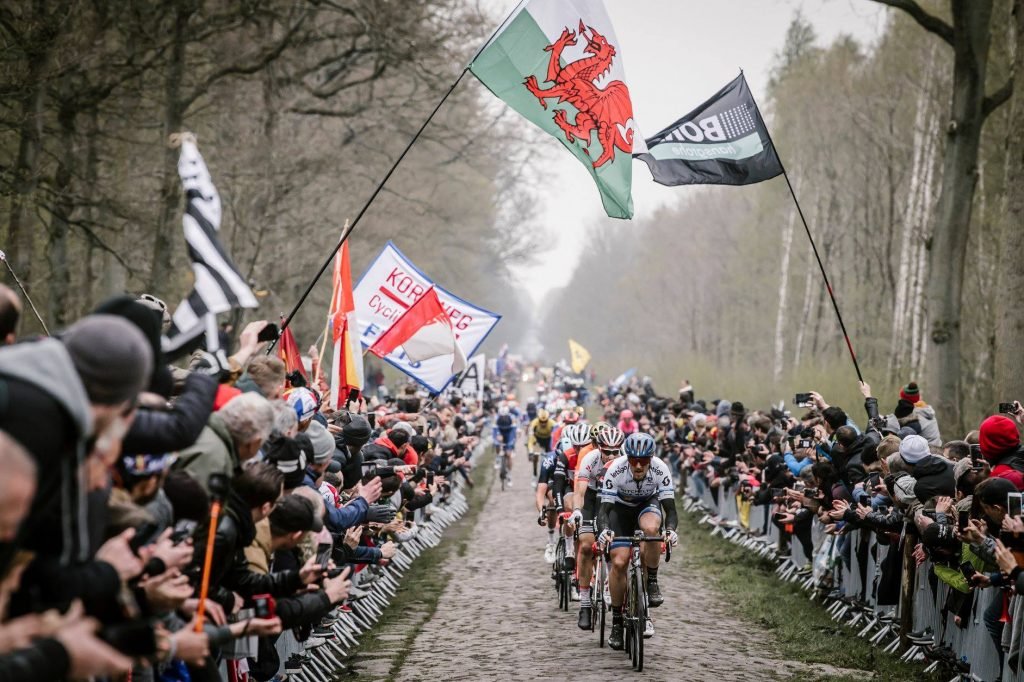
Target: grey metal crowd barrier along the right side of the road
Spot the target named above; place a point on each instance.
(851, 576)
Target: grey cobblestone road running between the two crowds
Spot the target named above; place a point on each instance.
(498, 618)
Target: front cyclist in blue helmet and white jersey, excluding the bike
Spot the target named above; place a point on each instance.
(637, 494)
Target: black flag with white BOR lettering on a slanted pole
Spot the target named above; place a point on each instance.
(722, 142)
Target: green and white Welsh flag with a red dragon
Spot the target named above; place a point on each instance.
(558, 63)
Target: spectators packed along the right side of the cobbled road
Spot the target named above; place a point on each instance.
(917, 540)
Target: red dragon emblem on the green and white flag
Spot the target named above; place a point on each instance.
(608, 110)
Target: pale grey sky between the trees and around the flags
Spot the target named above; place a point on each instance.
(677, 54)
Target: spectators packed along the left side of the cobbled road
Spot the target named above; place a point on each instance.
(207, 523)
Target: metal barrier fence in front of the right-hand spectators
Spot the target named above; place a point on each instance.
(847, 574)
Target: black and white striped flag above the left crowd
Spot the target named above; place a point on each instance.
(219, 286)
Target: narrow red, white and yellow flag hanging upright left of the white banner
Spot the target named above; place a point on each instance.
(347, 362)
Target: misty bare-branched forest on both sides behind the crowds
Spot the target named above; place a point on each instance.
(302, 107)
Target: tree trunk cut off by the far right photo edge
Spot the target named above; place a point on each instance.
(1010, 279)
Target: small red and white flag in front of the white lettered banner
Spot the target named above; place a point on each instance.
(424, 331)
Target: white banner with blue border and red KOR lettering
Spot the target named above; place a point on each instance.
(390, 286)
